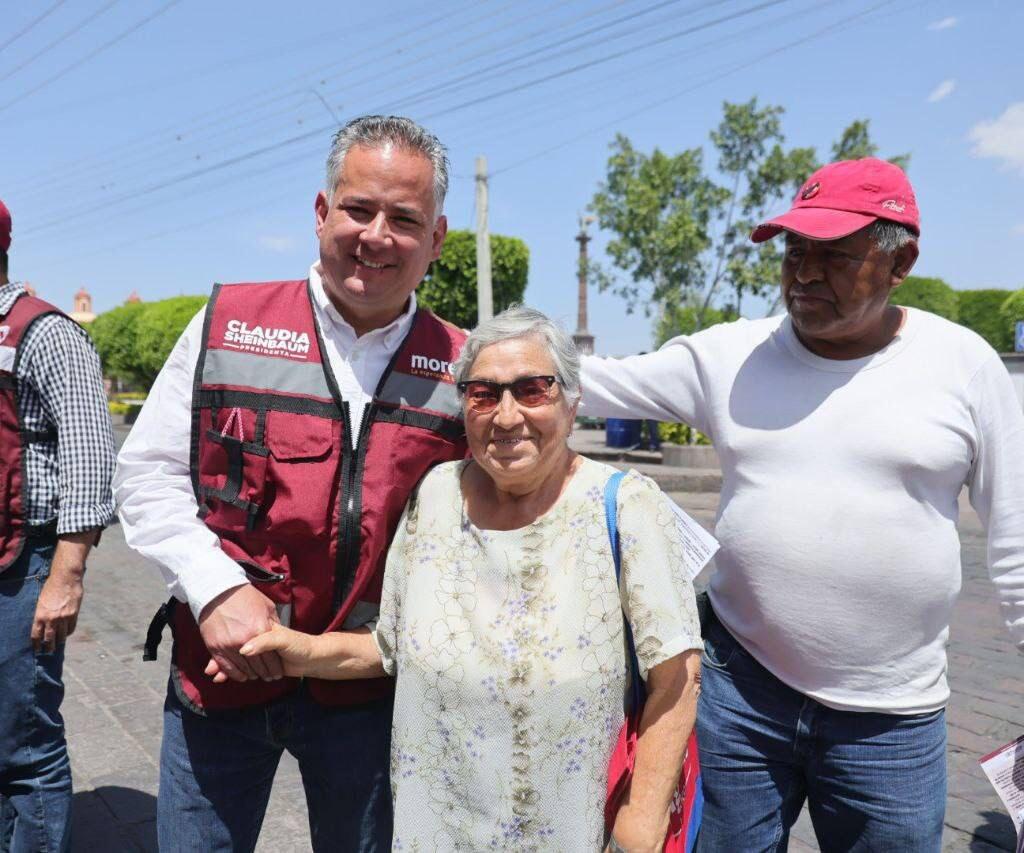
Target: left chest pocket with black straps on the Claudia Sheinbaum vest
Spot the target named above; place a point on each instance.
(233, 476)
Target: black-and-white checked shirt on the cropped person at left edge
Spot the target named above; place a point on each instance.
(61, 389)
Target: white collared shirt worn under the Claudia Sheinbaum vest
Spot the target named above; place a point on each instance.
(152, 485)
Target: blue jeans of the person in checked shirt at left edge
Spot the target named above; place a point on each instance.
(35, 774)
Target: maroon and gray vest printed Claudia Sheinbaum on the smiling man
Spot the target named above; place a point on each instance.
(308, 518)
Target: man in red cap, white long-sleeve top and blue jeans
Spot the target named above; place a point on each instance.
(846, 432)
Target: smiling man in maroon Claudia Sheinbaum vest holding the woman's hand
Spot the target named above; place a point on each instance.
(266, 476)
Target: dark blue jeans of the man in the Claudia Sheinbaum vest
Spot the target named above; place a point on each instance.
(217, 773)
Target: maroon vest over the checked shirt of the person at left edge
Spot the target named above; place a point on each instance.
(14, 439)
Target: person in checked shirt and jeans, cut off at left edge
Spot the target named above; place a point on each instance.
(68, 461)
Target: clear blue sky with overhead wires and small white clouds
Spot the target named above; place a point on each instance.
(158, 146)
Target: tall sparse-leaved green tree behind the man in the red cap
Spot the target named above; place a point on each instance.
(682, 236)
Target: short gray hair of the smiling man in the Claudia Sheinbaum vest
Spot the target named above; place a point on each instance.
(379, 132)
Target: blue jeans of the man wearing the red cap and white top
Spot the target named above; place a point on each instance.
(872, 782)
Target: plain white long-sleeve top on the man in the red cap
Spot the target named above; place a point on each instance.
(840, 560)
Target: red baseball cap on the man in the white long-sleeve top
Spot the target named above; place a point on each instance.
(845, 197)
